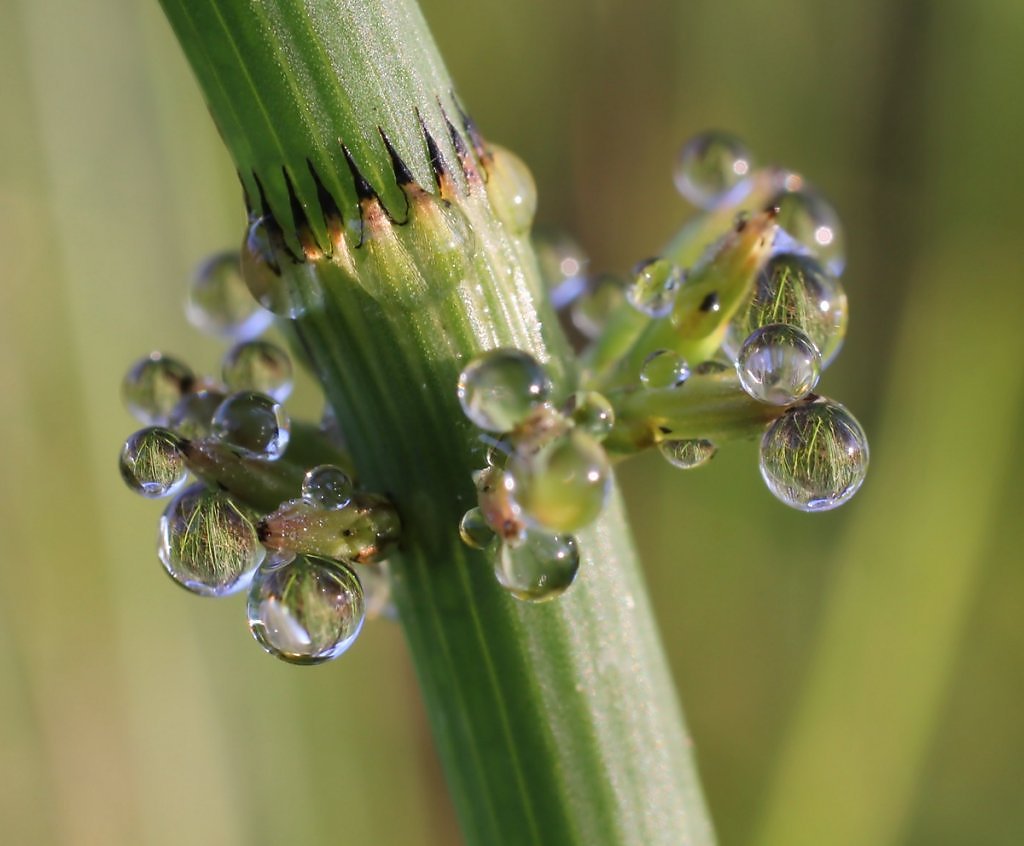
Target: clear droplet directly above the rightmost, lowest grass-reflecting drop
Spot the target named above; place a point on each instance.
(779, 365)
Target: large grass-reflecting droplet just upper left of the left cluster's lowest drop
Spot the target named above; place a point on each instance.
(208, 543)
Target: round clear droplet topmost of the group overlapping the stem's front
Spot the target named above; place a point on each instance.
(500, 389)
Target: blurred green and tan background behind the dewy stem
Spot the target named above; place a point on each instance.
(850, 679)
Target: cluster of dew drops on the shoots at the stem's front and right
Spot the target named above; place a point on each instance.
(548, 477)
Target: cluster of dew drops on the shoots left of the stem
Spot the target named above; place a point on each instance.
(307, 604)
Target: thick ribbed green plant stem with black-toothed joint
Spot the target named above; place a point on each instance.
(557, 724)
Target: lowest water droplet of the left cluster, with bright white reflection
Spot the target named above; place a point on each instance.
(305, 609)
